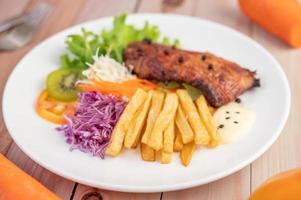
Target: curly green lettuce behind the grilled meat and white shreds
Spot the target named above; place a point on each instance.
(82, 47)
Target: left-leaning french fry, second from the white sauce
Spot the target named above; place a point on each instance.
(200, 133)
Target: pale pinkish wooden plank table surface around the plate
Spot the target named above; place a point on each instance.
(284, 154)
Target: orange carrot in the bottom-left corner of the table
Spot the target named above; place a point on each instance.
(16, 184)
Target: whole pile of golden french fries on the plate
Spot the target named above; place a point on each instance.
(163, 123)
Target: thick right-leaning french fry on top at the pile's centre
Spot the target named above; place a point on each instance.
(166, 115)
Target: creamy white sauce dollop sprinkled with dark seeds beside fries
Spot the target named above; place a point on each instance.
(233, 121)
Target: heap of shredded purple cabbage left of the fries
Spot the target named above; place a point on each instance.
(91, 127)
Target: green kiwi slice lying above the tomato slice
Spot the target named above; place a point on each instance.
(61, 84)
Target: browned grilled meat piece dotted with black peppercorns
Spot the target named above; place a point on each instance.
(220, 80)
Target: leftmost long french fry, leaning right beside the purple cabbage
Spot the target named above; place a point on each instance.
(121, 127)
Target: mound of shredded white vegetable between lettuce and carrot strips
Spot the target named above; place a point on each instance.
(107, 69)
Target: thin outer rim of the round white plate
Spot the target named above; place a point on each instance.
(169, 187)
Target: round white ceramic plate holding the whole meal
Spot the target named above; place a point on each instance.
(38, 139)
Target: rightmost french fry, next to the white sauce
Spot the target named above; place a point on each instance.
(207, 120)
